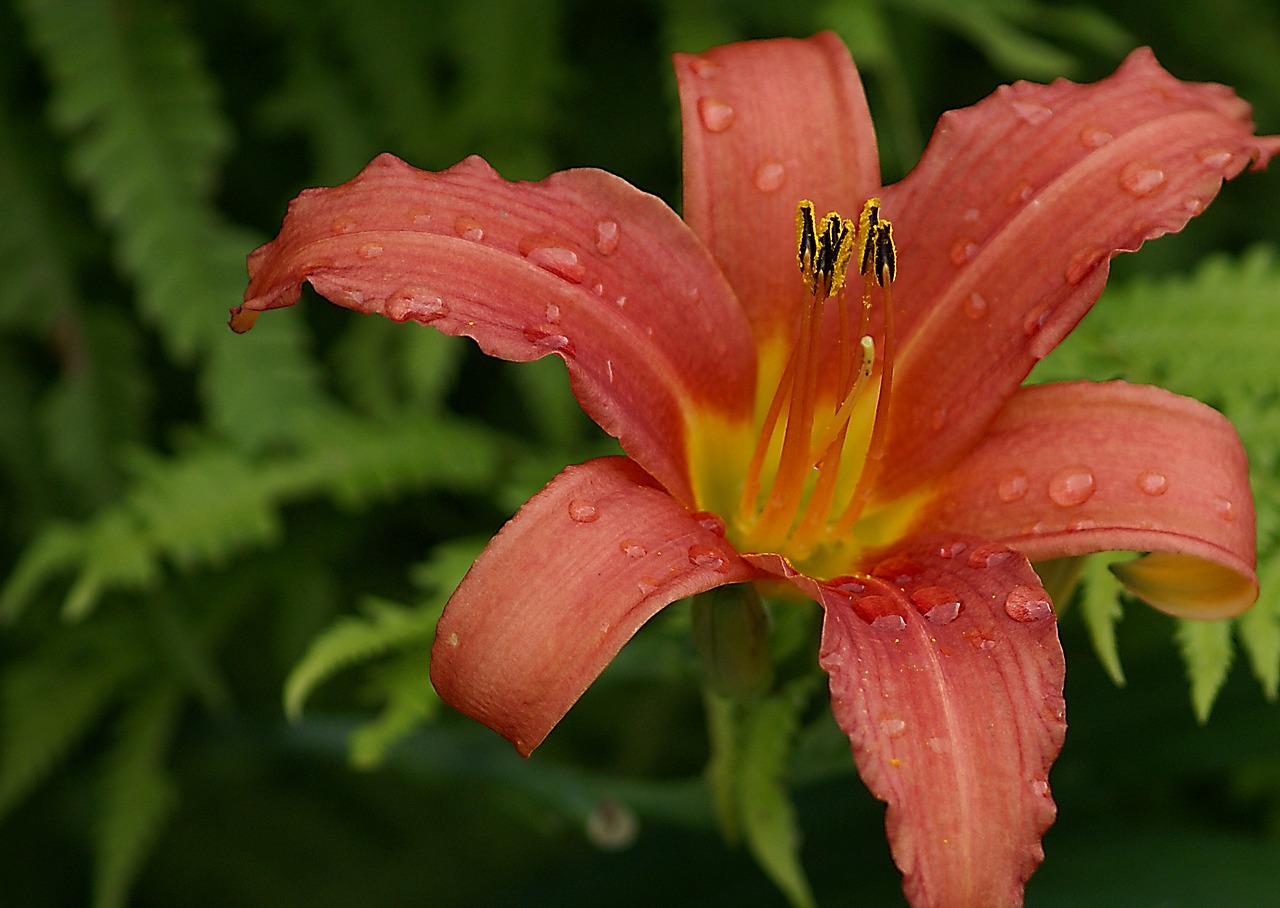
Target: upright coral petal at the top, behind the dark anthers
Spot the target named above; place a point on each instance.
(767, 124)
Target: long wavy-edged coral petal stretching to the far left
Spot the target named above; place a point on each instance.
(582, 266)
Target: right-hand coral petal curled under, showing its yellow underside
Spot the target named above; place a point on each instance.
(1078, 468)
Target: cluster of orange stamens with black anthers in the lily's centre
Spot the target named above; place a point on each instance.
(808, 480)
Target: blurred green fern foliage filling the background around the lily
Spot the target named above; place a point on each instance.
(225, 556)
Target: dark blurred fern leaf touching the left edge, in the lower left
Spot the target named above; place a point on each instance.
(57, 695)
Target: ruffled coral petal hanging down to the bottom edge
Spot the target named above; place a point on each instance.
(947, 674)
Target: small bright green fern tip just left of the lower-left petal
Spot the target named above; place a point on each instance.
(385, 627)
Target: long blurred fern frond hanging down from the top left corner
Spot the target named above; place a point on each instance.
(134, 98)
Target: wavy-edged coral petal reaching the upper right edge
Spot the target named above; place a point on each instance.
(1007, 227)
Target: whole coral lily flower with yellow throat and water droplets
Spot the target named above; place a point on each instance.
(831, 404)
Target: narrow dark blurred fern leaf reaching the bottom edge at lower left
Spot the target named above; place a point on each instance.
(138, 795)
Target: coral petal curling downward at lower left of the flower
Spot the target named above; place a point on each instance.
(563, 587)
